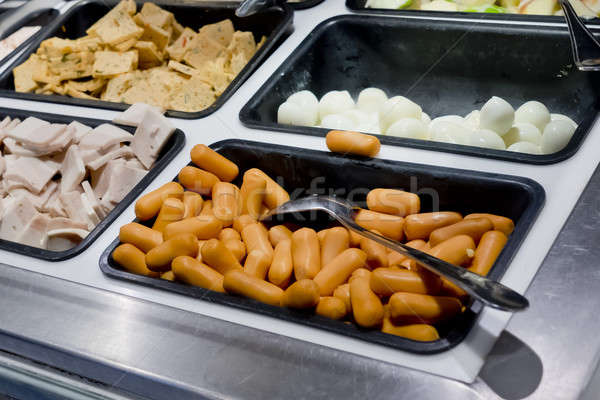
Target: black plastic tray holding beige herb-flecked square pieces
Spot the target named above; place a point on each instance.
(273, 23)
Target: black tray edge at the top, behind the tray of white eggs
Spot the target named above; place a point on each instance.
(359, 6)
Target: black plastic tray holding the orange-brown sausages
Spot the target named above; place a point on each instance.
(459, 190)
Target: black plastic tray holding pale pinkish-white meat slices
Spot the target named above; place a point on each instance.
(171, 149)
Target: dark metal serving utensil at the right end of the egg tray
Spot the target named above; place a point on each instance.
(586, 48)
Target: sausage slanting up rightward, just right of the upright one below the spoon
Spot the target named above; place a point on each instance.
(338, 270)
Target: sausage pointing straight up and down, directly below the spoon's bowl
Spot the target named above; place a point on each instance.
(306, 253)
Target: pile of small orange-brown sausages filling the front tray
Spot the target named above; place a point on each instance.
(203, 231)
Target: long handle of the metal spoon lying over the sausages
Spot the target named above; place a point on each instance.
(491, 293)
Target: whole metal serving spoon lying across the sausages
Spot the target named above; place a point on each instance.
(486, 290)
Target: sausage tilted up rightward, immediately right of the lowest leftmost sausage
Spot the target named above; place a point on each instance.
(160, 258)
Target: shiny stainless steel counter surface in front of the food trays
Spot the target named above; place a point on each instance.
(137, 347)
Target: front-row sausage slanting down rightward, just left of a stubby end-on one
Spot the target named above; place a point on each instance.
(240, 283)
